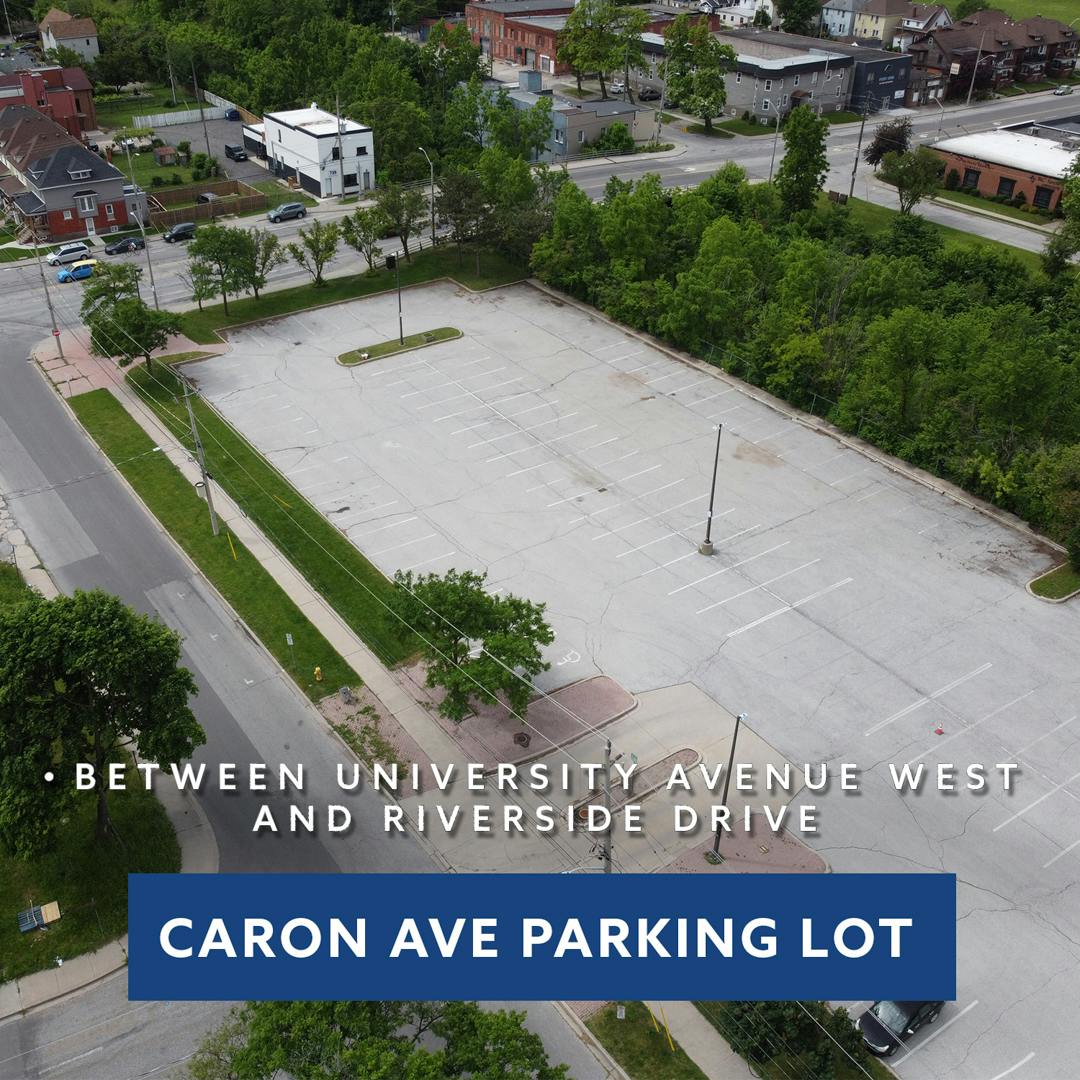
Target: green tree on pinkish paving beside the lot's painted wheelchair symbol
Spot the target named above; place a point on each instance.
(454, 613)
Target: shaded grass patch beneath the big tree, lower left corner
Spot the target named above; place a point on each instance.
(87, 879)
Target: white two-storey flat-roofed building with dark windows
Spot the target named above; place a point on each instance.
(321, 154)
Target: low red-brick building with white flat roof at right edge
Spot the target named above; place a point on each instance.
(1010, 164)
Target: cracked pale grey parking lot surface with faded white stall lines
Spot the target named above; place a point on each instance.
(850, 612)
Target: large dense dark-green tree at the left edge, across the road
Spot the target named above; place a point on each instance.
(80, 677)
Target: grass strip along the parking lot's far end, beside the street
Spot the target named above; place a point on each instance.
(202, 327)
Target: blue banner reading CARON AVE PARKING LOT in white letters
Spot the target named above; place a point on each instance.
(525, 937)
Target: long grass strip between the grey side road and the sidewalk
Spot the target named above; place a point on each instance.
(238, 576)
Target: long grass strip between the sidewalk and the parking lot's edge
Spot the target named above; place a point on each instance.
(316, 548)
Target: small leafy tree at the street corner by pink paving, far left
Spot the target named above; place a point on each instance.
(121, 326)
